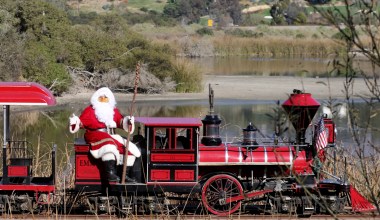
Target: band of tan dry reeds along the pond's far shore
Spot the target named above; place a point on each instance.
(272, 42)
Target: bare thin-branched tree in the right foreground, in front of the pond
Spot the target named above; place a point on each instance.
(358, 25)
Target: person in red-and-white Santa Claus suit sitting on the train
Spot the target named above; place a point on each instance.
(100, 120)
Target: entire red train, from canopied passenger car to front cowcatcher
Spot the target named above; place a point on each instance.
(184, 170)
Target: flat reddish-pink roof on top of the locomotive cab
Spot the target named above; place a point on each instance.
(169, 121)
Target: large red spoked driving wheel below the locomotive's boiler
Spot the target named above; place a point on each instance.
(217, 189)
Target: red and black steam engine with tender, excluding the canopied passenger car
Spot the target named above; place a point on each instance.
(265, 175)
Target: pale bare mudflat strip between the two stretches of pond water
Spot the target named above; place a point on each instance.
(244, 88)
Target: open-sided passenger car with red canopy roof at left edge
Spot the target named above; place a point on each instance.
(19, 189)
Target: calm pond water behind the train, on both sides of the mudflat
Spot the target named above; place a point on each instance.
(44, 128)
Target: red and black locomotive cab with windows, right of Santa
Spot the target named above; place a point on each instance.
(172, 149)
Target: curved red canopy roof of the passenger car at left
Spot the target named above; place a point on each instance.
(25, 93)
